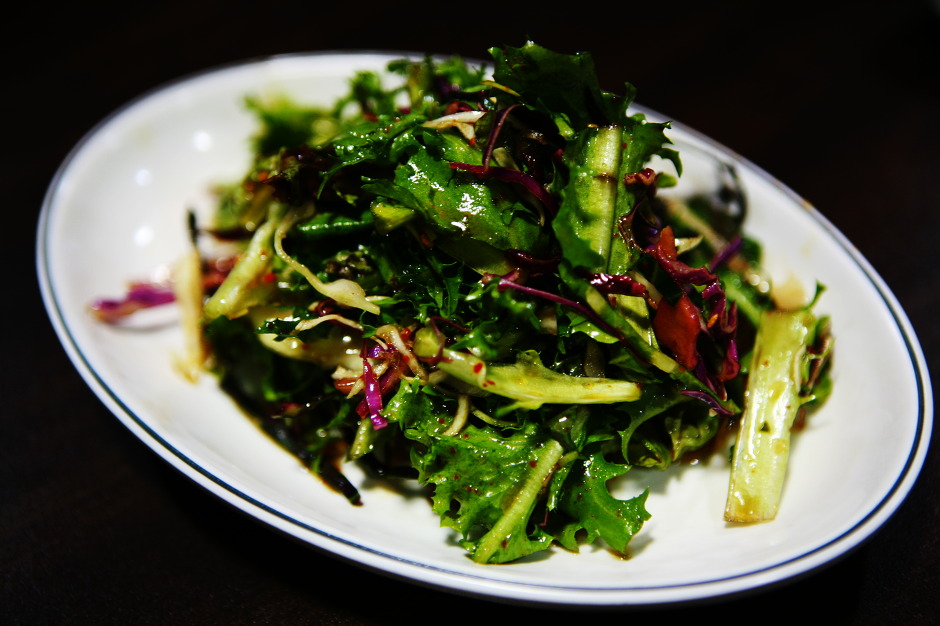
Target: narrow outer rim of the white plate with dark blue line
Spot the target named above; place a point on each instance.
(408, 569)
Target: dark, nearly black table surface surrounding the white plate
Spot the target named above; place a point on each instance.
(840, 100)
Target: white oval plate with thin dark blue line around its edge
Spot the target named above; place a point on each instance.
(115, 212)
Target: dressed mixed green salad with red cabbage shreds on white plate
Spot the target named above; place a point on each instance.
(473, 278)
